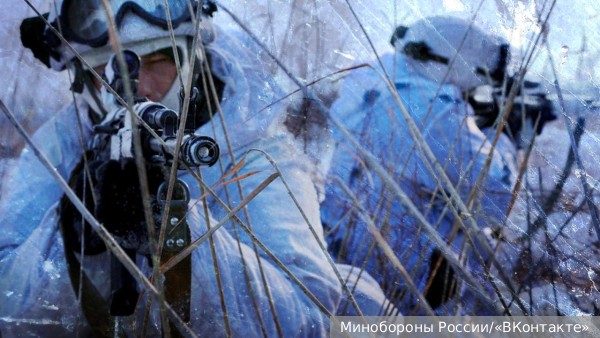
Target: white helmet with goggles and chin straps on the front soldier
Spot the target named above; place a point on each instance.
(142, 27)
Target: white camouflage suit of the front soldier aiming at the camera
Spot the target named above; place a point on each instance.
(36, 297)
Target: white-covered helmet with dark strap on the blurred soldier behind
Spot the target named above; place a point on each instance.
(431, 43)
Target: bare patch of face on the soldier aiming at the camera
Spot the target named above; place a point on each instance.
(157, 74)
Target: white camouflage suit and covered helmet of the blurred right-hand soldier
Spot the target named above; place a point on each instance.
(371, 114)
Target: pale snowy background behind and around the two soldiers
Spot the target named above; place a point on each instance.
(316, 38)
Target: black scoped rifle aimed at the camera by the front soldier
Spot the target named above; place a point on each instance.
(116, 198)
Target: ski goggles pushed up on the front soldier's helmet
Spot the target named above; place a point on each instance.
(85, 21)
